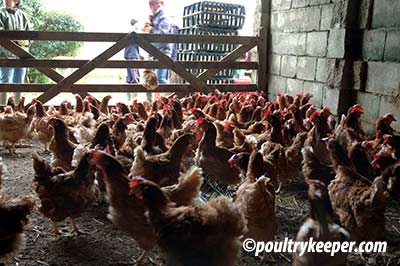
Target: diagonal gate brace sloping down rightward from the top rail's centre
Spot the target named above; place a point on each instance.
(168, 62)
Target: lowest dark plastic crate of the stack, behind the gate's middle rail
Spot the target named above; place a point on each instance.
(205, 57)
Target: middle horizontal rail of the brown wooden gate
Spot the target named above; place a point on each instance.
(125, 64)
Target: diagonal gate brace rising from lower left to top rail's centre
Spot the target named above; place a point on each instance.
(85, 69)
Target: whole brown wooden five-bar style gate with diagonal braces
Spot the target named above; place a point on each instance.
(67, 84)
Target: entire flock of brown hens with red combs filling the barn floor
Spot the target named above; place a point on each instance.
(148, 161)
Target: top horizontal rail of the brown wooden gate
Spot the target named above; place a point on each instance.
(113, 37)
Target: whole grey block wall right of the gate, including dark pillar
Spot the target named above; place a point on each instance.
(342, 51)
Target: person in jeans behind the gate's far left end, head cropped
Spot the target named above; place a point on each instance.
(12, 18)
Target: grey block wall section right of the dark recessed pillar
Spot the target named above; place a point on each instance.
(380, 52)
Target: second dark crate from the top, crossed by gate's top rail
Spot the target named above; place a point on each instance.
(207, 47)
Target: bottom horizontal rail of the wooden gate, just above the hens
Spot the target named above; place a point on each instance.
(122, 87)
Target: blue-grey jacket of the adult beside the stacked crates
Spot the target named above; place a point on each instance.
(161, 25)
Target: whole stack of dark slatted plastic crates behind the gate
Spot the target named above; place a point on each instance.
(210, 18)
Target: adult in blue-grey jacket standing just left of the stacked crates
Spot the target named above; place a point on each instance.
(160, 24)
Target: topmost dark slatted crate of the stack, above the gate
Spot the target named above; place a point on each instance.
(214, 14)
